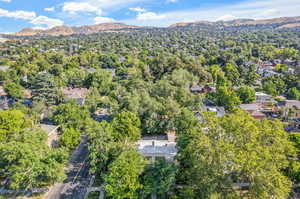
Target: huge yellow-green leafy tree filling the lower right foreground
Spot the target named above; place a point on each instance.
(219, 154)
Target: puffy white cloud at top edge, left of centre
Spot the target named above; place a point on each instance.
(74, 7)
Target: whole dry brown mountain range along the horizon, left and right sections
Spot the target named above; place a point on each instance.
(276, 23)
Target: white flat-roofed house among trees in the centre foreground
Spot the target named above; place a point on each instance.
(158, 147)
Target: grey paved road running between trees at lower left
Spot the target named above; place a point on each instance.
(75, 185)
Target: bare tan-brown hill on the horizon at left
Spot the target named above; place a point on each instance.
(66, 30)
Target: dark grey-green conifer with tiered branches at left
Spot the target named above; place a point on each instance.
(45, 89)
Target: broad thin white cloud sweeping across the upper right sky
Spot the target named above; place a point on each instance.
(256, 9)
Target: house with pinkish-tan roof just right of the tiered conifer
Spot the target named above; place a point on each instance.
(77, 94)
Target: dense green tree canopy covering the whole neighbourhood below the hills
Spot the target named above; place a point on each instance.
(149, 83)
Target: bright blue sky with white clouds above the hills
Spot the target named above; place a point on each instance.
(42, 14)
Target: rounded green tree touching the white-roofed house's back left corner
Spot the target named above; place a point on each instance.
(126, 126)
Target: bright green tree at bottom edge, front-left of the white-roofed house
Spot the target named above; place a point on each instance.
(122, 180)
